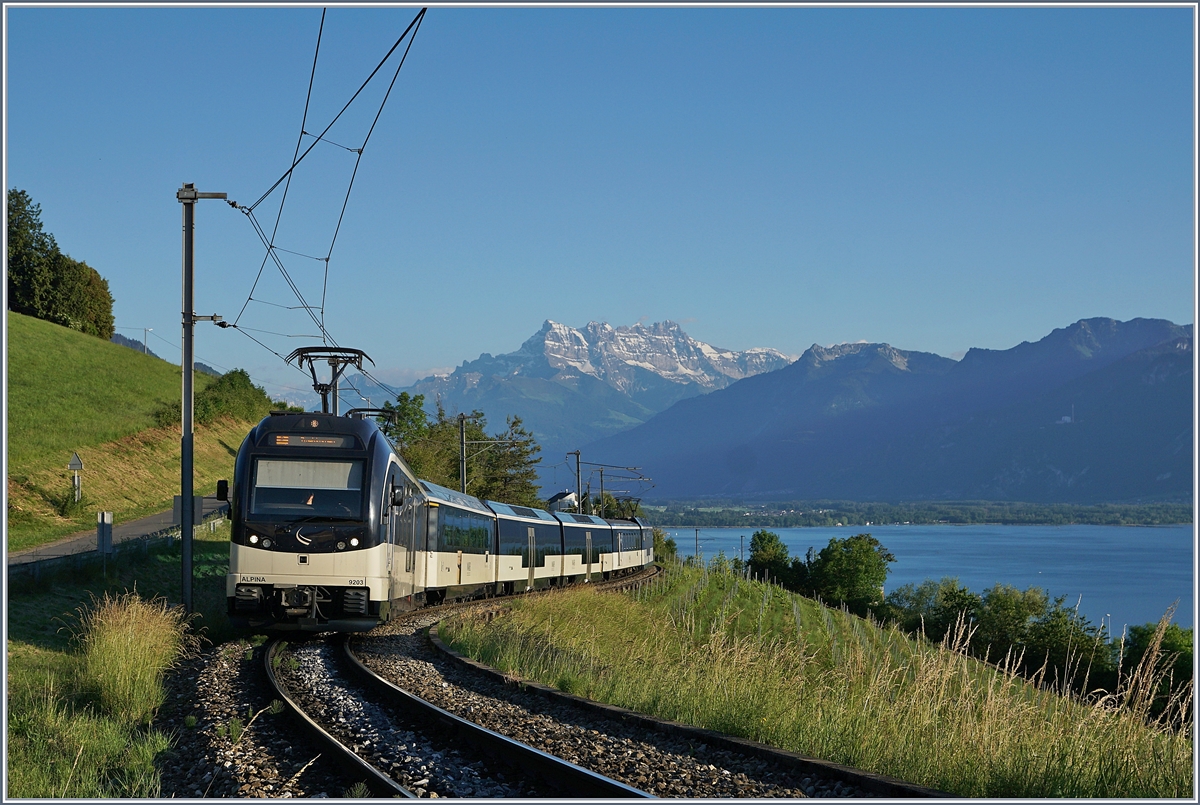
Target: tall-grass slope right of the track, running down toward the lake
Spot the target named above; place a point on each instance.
(753, 660)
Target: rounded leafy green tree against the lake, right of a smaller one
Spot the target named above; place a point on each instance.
(850, 572)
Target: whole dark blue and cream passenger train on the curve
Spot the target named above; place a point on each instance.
(333, 532)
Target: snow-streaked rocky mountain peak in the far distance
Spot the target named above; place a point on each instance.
(572, 387)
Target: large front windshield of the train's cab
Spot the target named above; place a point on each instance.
(286, 488)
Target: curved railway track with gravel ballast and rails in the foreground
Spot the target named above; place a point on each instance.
(377, 742)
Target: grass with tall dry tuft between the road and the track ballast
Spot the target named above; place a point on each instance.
(81, 712)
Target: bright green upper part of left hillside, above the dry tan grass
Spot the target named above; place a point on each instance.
(69, 391)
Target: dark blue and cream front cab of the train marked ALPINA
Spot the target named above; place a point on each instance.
(308, 546)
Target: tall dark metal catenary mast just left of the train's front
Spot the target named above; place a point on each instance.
(188, 196)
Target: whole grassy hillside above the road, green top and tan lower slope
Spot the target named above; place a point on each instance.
(69, 392)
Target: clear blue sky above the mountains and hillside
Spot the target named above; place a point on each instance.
(934, 178)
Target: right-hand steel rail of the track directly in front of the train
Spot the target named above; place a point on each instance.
(567, 778)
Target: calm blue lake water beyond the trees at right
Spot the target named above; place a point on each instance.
(1126, 575)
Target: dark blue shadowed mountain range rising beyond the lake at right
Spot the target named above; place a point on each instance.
(871, 422)
